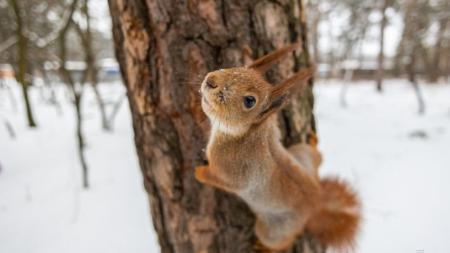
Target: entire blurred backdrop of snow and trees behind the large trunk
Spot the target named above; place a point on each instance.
(66, 147)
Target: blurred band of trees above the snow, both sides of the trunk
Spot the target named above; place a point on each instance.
(44, 42)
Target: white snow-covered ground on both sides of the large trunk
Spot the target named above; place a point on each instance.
(398, 161)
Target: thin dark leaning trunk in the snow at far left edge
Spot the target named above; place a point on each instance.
(22, 51)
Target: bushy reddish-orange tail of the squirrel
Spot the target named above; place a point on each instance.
(336, 222)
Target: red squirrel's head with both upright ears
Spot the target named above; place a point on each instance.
(236, 99)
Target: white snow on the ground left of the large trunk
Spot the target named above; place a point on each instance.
(42, 205)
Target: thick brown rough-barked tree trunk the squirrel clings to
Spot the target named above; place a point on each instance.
(165, 48)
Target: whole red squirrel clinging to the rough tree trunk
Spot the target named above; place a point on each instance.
(246, 157)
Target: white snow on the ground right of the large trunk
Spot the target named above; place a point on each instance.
(402, 179)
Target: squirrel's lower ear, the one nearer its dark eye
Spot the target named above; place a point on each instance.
(281, 92)
